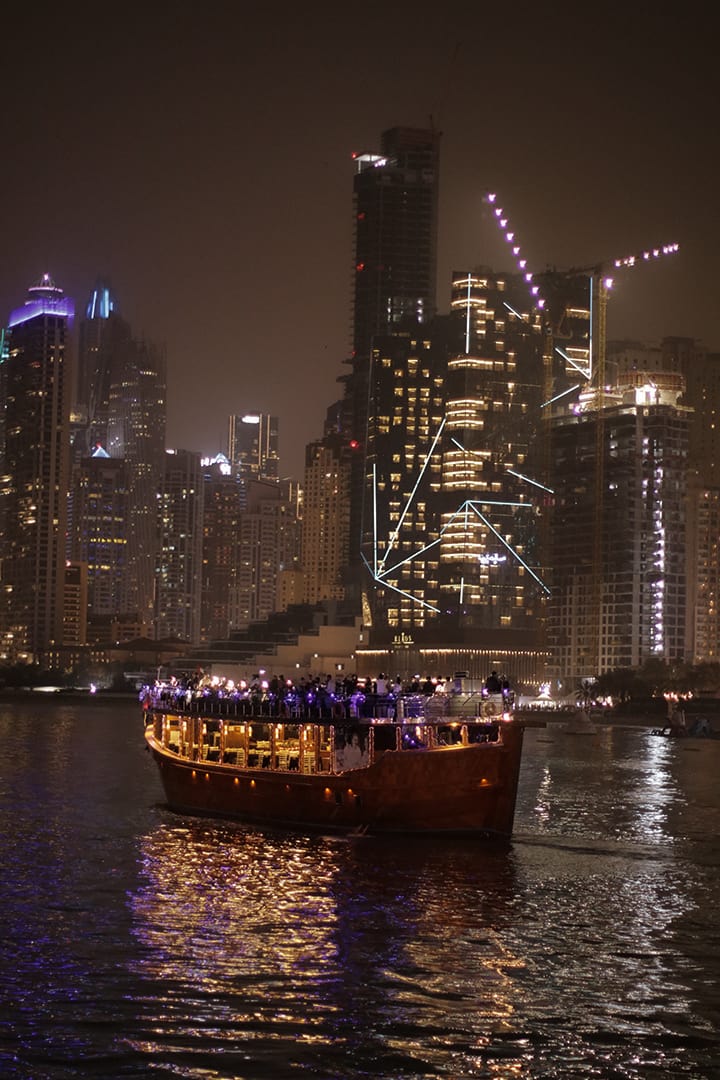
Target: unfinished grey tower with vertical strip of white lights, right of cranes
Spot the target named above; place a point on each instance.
(619, 566)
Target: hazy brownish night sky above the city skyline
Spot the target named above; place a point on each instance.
(201, 160)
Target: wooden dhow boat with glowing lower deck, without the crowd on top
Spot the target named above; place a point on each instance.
(414, 765)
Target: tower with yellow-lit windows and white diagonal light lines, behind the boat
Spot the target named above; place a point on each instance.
(453, 480)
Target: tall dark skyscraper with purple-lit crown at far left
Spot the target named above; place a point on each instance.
(36, 388)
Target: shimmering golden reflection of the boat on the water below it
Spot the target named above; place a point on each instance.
(324, 942)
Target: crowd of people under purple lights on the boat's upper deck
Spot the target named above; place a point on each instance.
(321, 697)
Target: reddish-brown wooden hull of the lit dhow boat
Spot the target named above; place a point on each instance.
(469, 789)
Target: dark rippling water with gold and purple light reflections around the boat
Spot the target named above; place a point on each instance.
(186, 948)
